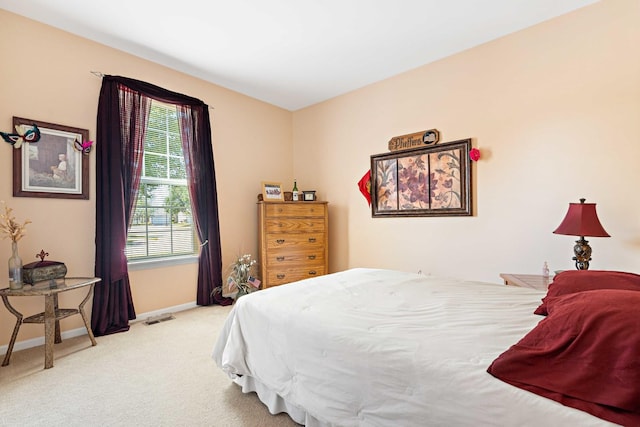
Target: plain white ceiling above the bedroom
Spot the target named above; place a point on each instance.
(291, 53)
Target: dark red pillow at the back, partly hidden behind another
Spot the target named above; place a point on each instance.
(572, 281)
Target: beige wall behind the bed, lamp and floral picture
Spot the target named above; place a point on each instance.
(555, 111)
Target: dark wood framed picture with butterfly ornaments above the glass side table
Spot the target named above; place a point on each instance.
(38, 169)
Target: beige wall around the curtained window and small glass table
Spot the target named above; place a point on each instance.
(47, 77)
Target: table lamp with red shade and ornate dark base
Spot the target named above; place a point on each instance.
(581, 220)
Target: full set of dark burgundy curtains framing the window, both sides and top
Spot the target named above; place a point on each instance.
(123, 110)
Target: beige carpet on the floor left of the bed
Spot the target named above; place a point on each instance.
(153, 375)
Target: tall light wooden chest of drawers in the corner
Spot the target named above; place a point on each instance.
(293, 241)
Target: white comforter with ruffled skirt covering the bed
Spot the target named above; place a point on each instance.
(373, 347)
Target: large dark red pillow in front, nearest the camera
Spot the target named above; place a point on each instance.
(585, 354)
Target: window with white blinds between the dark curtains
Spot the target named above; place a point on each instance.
(162, 224)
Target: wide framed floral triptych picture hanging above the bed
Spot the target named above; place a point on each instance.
(429, 181)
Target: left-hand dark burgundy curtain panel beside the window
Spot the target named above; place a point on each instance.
(121, 123)
